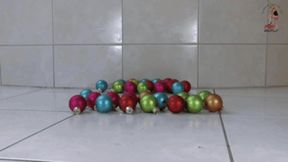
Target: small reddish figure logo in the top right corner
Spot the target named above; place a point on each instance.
(273, 13)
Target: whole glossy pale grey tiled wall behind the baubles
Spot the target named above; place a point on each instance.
(85, 31)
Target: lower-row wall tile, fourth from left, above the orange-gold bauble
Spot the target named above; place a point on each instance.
(231, 65)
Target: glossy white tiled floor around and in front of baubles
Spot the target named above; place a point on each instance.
(35, 125)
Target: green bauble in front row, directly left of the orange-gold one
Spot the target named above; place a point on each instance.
(194, 104)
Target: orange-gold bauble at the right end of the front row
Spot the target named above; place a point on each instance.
(214, 102)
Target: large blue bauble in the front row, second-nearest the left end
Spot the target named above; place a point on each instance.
(104, 104)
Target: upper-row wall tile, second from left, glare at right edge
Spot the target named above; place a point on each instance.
(87, 21)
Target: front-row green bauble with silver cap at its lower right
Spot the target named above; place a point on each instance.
(148, 104)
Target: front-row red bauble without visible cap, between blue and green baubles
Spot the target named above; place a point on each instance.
(176, 104)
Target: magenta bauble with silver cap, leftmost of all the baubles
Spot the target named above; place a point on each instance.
(77, 104)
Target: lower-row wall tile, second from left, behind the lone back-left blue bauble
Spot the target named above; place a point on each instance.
(82, 66)
